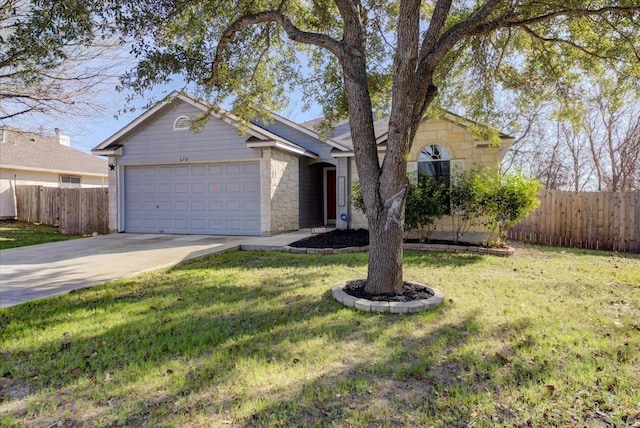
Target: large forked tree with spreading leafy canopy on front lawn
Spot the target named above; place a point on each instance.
(354, 57)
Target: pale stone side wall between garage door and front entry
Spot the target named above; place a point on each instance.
(280, 198)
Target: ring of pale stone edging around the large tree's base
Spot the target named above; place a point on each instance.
(381, 306)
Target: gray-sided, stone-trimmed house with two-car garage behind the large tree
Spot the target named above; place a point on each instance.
(234, 178)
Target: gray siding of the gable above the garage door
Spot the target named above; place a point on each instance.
(157, 142)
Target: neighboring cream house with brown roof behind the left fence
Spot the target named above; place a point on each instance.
(28, 158)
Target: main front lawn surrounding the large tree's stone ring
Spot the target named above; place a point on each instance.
(545, 338)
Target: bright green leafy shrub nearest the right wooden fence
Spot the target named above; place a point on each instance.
(505, 199)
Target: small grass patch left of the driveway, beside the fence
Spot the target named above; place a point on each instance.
(19, 234)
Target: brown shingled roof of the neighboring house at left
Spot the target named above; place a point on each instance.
(34, 152)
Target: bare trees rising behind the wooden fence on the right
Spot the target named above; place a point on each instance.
(595, 146)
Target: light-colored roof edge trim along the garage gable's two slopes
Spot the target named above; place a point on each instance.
(258, 136)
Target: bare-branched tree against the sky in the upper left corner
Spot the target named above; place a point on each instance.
(42, 71)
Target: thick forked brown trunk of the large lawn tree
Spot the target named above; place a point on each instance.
(384, 188)
